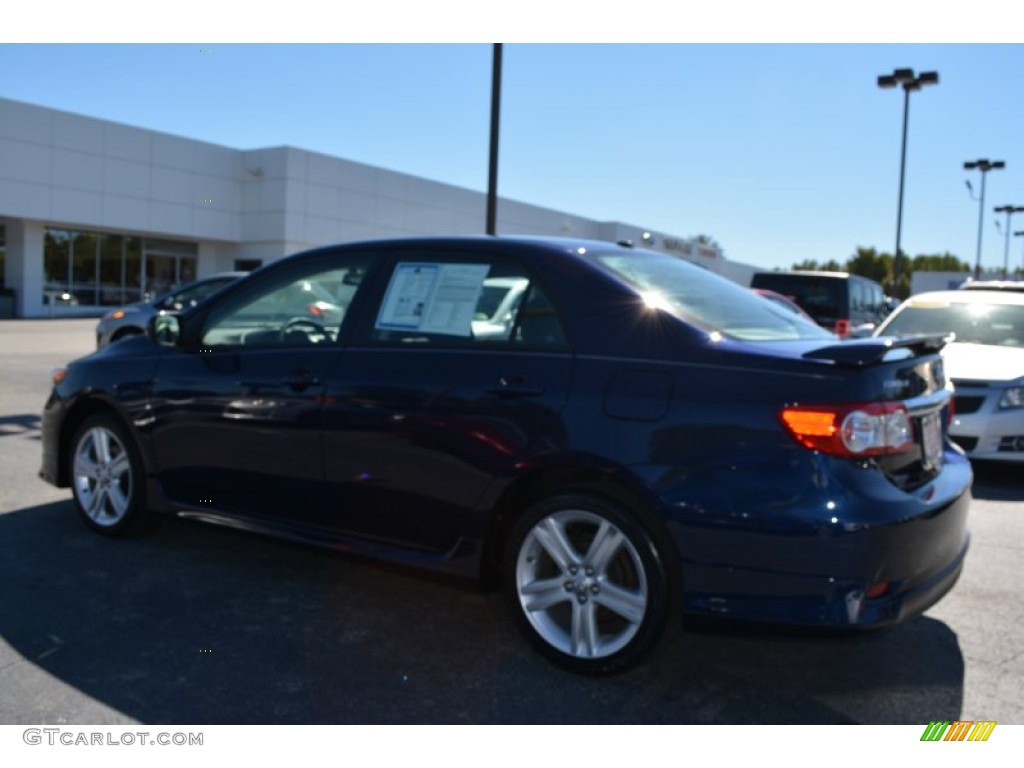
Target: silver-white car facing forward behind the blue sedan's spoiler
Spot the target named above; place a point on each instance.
(986, 362)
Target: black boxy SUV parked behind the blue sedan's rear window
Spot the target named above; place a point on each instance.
(846, 305)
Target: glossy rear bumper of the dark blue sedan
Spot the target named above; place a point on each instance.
(856, 554)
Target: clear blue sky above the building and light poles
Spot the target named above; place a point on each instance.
(780, 152)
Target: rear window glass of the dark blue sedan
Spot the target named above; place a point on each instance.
(707, 301)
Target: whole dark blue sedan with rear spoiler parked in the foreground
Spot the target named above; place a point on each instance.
(633, 438)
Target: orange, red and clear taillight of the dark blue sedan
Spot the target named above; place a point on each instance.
(851, 431)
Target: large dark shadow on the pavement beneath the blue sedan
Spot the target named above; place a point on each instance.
(193, 624)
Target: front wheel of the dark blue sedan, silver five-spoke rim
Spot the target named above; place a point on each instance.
(107, 476)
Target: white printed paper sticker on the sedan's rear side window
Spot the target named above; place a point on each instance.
(433, 298)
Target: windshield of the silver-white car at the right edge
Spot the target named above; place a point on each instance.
(972, 323)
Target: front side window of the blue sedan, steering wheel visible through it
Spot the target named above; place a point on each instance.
(294, 310)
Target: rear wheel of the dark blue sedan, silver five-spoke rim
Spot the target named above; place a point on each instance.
(588, 583)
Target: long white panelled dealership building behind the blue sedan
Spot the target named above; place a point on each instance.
(97, 215)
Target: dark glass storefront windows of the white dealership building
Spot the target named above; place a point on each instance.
(90, 269)
